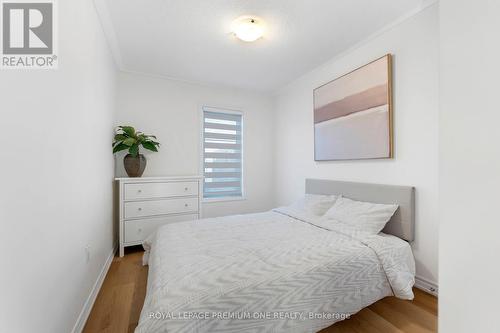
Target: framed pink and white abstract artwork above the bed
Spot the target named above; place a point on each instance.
(353, 114)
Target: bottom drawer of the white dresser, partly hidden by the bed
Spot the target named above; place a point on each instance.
(138, 230)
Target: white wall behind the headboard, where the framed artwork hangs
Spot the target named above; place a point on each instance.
(414, 44)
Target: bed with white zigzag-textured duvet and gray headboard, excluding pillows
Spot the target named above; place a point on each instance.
(277, 271)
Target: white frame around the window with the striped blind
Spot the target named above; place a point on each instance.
(223, 110)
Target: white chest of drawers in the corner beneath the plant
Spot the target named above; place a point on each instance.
(150, 202)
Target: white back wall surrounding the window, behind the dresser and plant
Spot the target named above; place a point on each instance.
(171, 110)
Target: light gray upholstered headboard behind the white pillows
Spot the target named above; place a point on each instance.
(402, 223)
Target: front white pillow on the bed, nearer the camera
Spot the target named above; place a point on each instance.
(364, 216)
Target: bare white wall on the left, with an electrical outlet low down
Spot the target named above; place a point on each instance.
(57, 171)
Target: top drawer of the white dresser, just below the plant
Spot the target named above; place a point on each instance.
(141, 191)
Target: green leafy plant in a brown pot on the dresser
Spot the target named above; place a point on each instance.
(127, 137)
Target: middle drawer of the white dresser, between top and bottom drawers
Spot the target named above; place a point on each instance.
(137, 209)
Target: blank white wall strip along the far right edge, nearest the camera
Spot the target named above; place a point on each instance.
(469, 174)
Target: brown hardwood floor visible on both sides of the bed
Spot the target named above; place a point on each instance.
(119, 303)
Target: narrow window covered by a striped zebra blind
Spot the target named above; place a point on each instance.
(222, 154)
